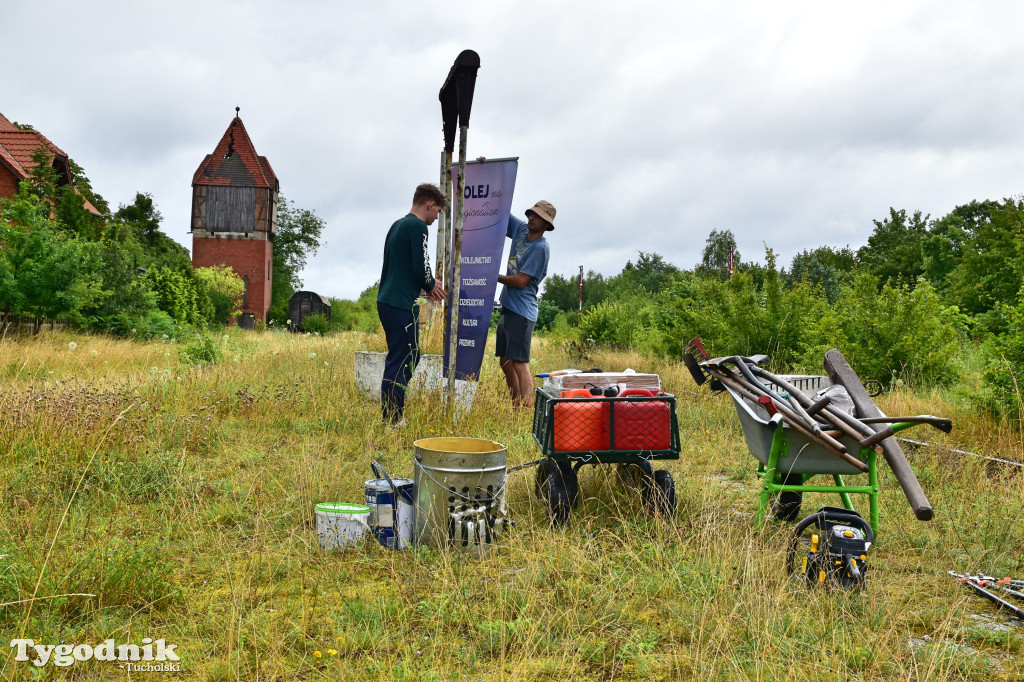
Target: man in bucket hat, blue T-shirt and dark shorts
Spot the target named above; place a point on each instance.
(527, 269)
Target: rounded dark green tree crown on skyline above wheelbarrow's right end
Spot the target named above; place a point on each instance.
(893, 253)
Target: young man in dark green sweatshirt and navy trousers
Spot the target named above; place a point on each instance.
(405, 274)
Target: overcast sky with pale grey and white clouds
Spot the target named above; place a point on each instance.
(648, 125)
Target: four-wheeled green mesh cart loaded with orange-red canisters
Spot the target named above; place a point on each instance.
(632, 431)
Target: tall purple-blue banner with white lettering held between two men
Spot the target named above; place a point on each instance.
(488, 202)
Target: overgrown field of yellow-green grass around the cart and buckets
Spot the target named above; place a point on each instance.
(145, 497)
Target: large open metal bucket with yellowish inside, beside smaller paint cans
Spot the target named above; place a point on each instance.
(460, 494)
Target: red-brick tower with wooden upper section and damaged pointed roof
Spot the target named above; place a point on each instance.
(235, 212)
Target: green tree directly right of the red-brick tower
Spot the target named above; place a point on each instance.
(298, 237)
